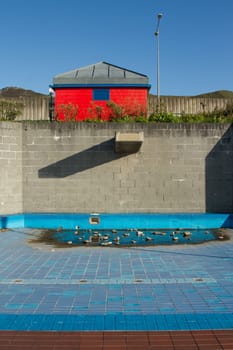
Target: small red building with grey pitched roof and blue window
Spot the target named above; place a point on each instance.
(101, 90)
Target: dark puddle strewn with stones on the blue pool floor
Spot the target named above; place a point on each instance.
(131, 237)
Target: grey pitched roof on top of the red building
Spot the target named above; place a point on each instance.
(100, 73)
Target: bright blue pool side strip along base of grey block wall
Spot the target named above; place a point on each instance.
(117, 221)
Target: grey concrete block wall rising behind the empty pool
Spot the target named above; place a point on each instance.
(72, 167)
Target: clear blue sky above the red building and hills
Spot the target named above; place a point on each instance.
(40, 39)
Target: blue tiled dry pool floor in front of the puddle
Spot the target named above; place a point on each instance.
(186, 287)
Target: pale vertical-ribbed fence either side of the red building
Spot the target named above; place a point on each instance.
(37, 108)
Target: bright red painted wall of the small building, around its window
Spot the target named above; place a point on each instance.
(77, 103)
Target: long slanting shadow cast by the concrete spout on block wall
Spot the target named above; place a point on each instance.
(87, 159)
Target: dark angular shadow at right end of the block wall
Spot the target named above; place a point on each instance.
(219, 175)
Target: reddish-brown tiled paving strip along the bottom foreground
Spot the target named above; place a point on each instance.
(181, 340)
